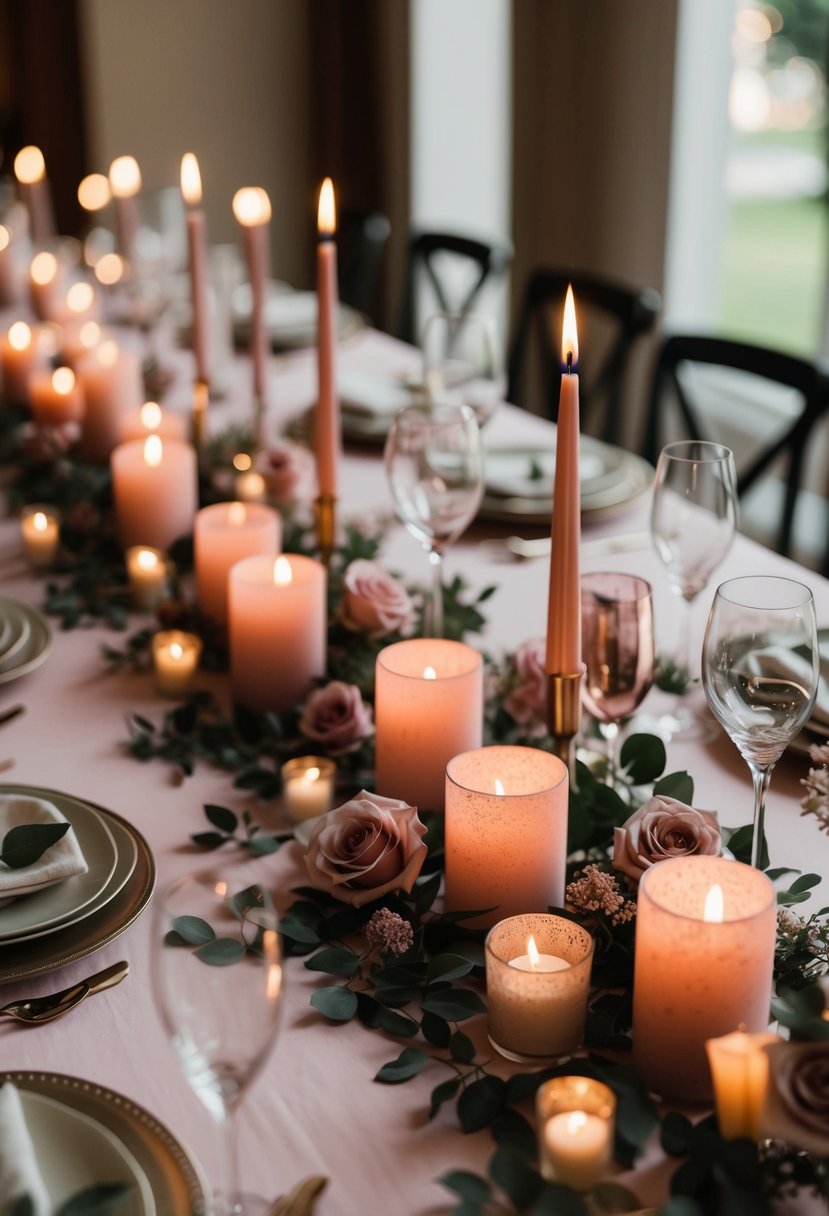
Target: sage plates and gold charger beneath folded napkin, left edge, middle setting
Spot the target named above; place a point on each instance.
(80, 915)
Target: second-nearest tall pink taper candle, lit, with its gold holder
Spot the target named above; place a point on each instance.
(328, 420)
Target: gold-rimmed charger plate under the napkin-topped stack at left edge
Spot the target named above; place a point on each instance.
(47, 954)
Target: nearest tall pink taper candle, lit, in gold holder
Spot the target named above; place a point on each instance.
(565, 606)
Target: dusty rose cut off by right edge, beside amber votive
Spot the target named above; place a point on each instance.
(798, 1099)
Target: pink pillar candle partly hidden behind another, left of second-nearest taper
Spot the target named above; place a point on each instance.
(225, 534)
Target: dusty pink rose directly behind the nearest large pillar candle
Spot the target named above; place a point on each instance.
(662, 829)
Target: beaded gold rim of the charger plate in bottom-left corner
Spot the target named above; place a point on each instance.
(178, 1184)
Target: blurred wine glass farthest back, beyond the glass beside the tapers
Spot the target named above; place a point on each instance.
(464, 363)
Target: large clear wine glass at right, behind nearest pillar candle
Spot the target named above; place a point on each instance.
(760, 673)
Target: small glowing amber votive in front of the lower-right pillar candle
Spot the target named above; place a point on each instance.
(740, 1071)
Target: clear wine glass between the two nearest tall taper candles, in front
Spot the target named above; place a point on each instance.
(435, 460)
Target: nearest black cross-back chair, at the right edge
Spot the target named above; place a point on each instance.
(674, 413)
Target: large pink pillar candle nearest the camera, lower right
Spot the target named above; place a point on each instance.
(706, 932)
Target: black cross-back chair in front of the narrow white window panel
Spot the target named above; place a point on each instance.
(435, 257)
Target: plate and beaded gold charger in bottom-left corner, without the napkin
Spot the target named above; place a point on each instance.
(86, 1135)
